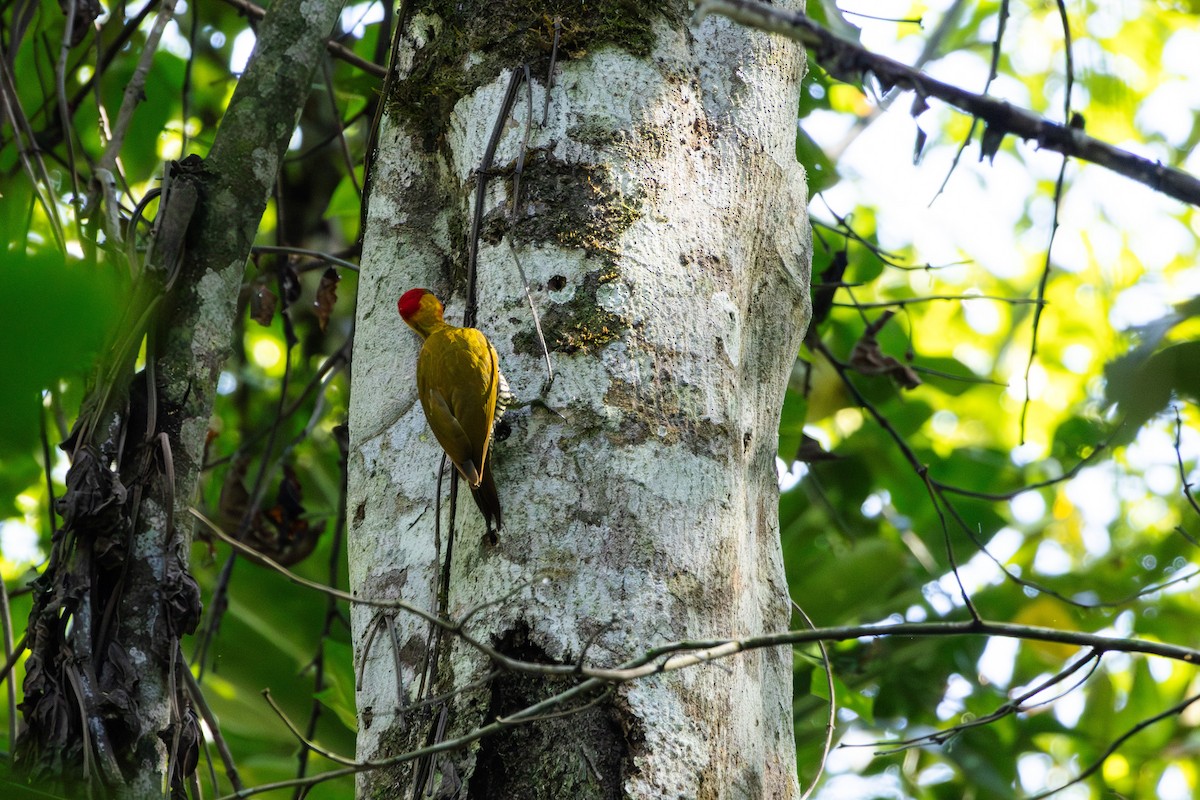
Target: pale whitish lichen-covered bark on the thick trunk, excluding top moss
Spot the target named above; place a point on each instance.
(651, 513)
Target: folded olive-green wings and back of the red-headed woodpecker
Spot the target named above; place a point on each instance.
(457, 381)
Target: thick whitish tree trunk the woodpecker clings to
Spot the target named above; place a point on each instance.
(662, 225)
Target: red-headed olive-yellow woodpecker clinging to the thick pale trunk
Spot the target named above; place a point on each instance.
(463, 393)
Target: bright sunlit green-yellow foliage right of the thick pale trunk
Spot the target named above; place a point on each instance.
(1076, 519)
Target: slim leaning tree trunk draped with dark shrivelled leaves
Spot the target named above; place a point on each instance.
(119, 572)
